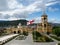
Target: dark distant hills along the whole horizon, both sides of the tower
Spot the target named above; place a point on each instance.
(22, 21)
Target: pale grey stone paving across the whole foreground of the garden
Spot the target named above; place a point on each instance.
(28, 41)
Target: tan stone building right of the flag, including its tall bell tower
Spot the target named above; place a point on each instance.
(44, 26)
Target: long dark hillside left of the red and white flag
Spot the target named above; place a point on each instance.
(13, 23)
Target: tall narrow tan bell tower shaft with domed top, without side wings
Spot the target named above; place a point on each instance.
(44, 22)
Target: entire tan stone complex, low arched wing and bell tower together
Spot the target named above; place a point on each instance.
(44, 27)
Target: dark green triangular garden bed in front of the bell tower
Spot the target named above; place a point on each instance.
(37, 37)
